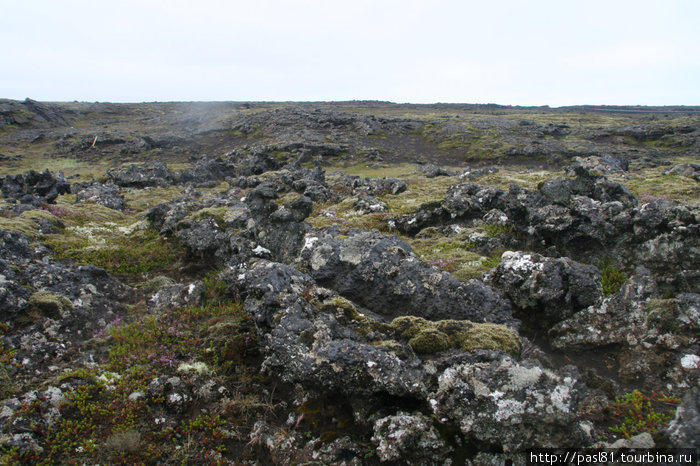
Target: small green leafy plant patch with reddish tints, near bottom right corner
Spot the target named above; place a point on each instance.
(640, 413)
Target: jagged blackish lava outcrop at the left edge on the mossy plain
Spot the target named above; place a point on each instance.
(34, 188)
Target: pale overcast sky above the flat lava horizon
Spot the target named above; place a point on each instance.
(509, 52)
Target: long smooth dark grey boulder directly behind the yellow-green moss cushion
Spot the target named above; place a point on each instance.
(382, 274)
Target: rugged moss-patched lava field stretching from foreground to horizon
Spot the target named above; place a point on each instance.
(346, 283)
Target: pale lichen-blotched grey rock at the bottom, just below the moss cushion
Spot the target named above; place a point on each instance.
(516, 405)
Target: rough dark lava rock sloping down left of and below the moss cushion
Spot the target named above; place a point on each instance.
(315, 337)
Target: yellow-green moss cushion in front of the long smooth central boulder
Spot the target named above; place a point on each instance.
(426, 337)
